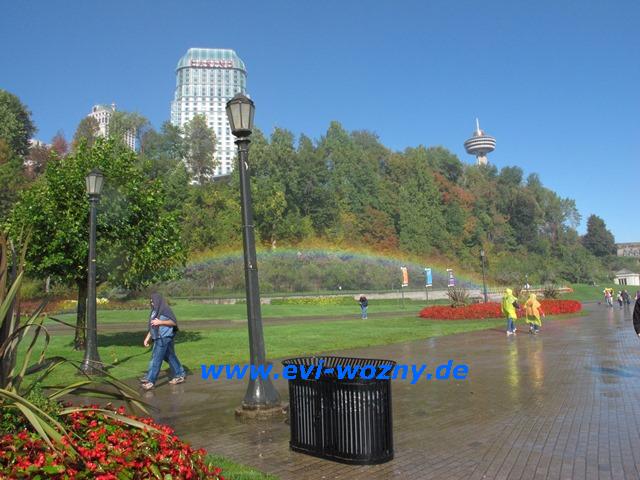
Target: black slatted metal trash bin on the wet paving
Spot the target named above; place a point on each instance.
(347, 421)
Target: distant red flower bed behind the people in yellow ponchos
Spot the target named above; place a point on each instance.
(493, 310)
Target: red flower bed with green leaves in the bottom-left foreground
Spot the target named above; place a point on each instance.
(109, 450)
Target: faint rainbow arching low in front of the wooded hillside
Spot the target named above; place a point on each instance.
(316, 251)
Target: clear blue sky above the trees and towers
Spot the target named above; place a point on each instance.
(557, 83)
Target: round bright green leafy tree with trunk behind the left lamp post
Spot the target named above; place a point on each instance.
(138, 242)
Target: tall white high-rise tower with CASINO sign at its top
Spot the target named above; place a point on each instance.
(206, 79)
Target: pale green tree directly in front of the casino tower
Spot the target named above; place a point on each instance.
(200, 148)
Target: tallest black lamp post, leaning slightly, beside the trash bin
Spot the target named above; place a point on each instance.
(260, 392)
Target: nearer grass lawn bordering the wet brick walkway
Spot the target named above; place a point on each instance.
(124, 350)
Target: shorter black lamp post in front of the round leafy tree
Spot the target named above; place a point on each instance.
(91, 363)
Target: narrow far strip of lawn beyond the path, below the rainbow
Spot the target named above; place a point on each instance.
(186, 310)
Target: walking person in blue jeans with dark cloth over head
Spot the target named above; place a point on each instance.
(163, 326)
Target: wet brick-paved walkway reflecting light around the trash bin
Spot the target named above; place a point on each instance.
(561, 405)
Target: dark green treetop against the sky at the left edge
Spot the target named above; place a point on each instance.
(16, 126)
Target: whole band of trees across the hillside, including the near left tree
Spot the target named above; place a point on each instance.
(161, 202)
